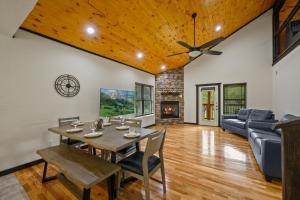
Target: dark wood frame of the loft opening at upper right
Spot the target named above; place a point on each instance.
(277, 30)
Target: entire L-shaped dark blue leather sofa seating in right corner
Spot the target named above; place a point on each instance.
(257, 126)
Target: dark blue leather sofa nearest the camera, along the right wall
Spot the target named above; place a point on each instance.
(266, 146)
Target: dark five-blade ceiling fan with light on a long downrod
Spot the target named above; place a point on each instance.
(194, 51)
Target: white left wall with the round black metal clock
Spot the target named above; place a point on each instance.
(29, 105)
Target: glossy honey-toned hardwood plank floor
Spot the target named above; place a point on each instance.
(201, 163)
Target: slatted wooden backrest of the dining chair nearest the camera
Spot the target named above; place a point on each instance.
(155, 143)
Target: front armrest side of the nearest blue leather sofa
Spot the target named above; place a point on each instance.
(271, 157)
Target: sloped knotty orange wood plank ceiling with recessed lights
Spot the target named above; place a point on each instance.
(126, 27)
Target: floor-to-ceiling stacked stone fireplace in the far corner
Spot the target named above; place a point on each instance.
(169, 99)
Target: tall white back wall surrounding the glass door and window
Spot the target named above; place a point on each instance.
(247, 57)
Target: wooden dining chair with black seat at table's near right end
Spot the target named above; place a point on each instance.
(142, 165)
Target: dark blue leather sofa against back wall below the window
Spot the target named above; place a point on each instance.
(239, 123)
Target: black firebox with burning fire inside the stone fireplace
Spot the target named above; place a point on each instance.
(169, 109)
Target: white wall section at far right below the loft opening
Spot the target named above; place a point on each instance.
(286, 85)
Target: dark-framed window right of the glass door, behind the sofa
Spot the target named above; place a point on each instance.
(234, 97)
